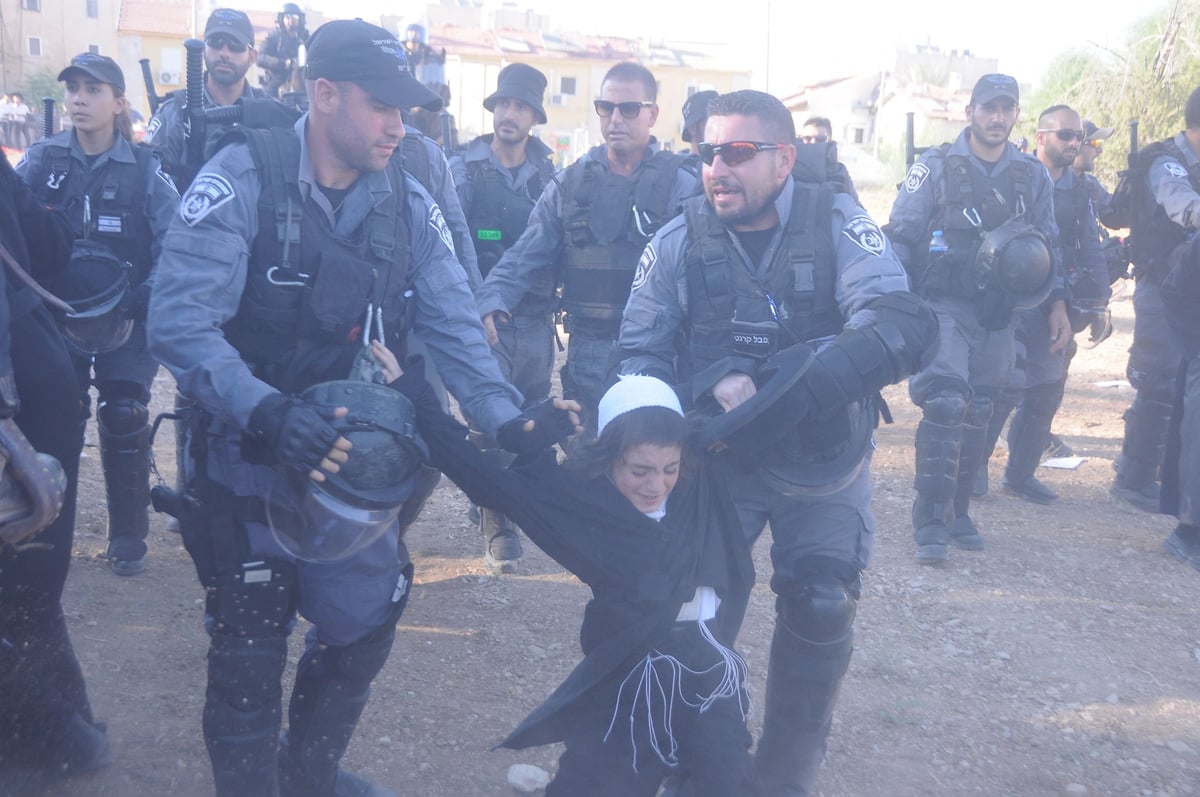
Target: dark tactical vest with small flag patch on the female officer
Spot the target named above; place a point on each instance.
(117, 197)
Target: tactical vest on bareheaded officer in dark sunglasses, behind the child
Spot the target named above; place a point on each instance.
(608, 220)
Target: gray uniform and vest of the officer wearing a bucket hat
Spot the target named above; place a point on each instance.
(499, 202)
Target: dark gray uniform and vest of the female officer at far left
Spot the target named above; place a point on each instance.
(130, 203)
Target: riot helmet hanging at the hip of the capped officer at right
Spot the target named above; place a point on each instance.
(1015, 260)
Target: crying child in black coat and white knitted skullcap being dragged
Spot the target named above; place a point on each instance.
(640, 519)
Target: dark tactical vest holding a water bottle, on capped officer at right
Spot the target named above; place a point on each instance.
(970, 197)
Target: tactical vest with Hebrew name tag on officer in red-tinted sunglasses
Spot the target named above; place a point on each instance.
(729, 305)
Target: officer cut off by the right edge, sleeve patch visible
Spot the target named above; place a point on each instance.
(1166, 213)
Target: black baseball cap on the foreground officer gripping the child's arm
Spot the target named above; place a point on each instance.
(373, 59)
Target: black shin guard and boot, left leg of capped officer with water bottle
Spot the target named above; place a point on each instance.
(938, 441)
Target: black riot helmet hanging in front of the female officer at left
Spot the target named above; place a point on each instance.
(95, 285)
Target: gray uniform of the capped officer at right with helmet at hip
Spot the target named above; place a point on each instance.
(949, 190)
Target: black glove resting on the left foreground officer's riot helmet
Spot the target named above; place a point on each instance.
(296, 433)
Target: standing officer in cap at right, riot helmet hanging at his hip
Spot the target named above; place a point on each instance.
(953, 195)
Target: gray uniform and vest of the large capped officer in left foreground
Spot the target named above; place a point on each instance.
(212, 269)
